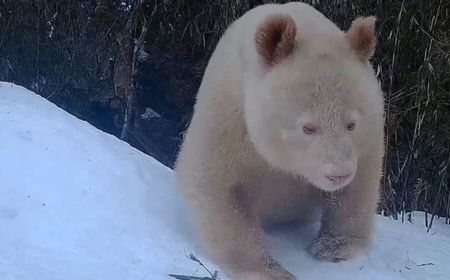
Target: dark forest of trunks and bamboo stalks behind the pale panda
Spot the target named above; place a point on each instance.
(132, 69)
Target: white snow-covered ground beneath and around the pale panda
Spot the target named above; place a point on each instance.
(79, 204)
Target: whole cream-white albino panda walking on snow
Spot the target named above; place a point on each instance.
(287, 99)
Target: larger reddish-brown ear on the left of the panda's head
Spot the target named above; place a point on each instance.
(275, 39)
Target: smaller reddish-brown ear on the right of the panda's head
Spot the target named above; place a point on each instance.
(362, 38)
